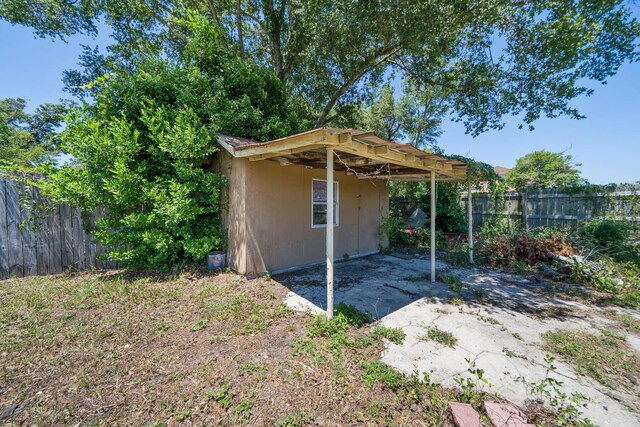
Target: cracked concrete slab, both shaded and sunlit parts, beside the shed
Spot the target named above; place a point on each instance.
(497, 319)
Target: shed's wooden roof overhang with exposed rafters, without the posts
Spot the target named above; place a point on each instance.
(358, 152)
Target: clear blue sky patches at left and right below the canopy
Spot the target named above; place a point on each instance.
(607, 142)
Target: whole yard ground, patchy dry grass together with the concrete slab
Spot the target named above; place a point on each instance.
(105, 348)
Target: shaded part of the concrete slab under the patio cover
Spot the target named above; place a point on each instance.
(383, 284)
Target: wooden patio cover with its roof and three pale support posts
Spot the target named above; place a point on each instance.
(365, 155)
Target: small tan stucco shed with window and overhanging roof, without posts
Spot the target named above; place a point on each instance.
(275, 206)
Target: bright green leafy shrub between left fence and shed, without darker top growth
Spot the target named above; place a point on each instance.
(145, 168)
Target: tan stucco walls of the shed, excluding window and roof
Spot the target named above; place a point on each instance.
(269, 219)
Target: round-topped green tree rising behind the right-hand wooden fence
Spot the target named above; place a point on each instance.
(543, 169)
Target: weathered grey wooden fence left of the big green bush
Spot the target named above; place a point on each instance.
(55, 243)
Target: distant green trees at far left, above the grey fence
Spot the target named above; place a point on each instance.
(27, 140)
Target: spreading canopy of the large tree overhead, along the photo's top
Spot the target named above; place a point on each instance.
(484, 59)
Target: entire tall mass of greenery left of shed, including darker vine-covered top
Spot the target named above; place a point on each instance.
(140, 150)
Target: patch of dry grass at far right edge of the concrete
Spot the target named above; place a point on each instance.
(606, 357)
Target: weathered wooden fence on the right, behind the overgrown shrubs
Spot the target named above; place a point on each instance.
(555, 208)
